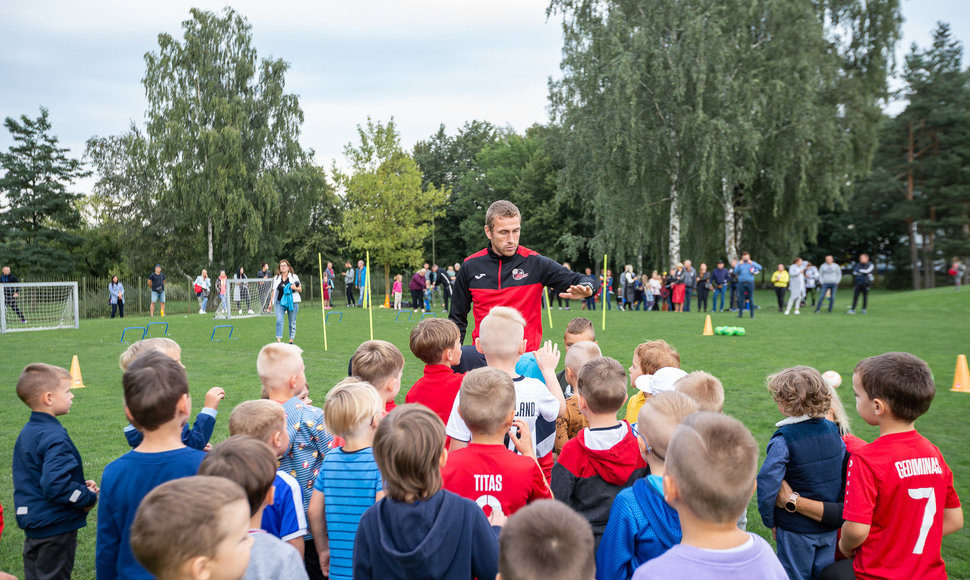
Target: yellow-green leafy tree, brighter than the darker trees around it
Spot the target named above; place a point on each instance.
(387, 211)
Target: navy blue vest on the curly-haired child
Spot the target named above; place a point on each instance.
(815, 453)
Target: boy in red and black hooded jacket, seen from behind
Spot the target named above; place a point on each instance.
(605, 457)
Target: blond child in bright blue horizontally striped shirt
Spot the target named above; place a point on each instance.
(349, 480)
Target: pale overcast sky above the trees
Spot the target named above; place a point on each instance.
(425, 62)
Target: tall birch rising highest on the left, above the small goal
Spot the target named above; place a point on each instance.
(225, 132)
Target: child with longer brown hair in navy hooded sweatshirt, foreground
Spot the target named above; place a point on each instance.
(419, 530)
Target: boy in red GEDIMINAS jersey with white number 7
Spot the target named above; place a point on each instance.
(899, 496)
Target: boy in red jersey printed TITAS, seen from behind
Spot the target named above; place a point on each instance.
(486, 471)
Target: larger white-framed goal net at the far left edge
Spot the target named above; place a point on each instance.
(38, 306)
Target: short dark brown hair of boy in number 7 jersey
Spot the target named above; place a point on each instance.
(902, 380)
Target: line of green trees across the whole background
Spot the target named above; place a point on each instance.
(692, 129)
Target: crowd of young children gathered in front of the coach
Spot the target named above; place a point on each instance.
(490, 473)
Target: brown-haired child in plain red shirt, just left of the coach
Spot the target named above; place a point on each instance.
(437, 343)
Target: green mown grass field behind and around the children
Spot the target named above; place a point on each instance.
(933, 324)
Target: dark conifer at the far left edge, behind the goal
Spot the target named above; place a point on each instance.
(39, 215)
